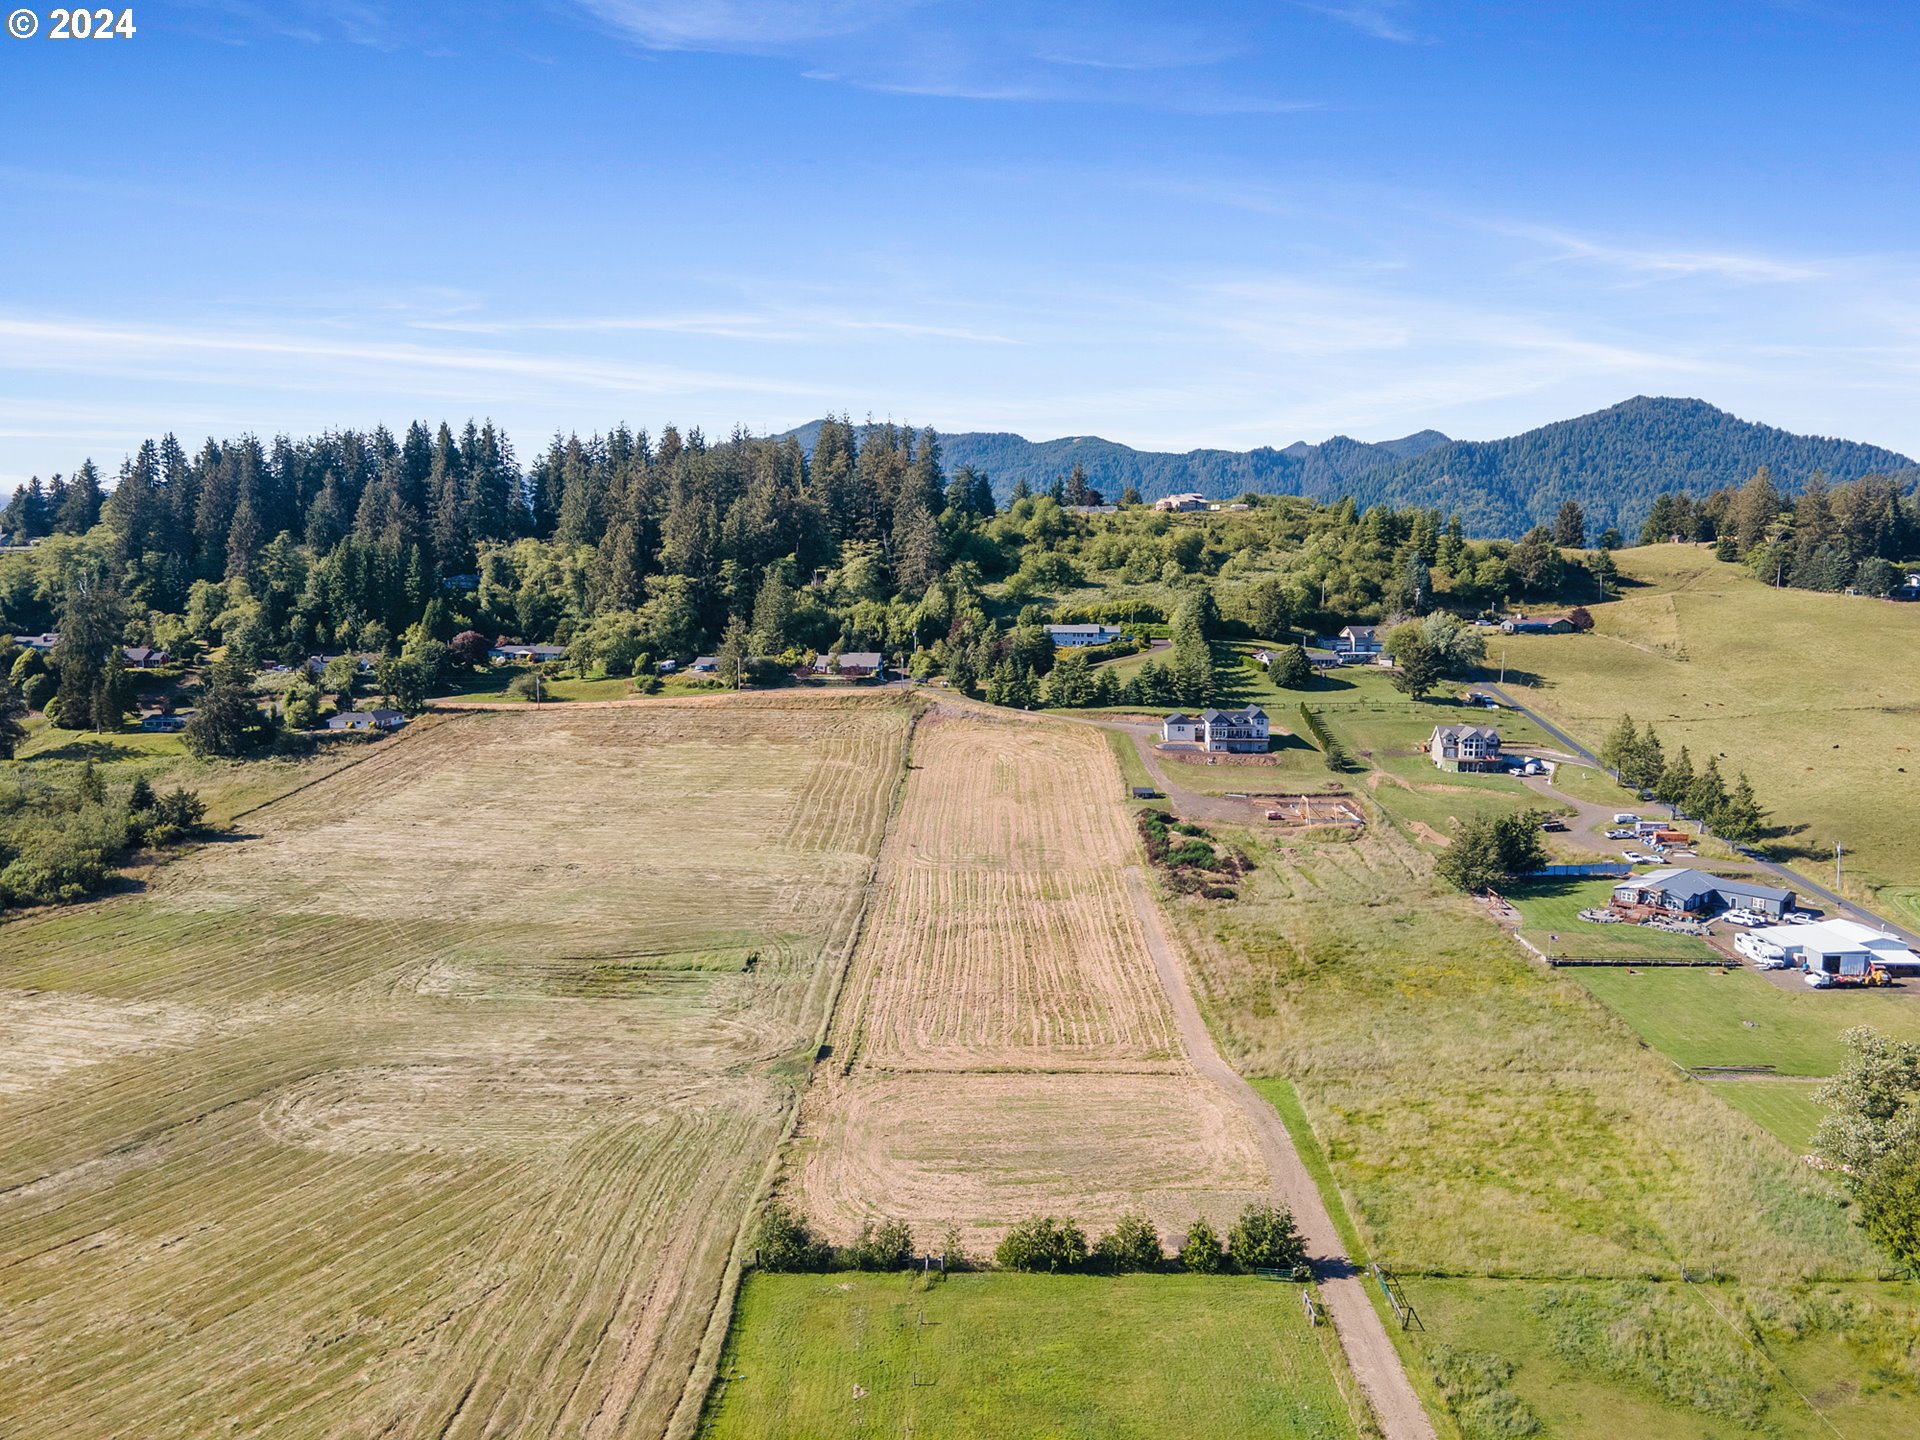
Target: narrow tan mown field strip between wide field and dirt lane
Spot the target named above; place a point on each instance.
(1007, 1045)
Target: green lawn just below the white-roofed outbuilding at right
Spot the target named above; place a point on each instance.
(1742, 1019)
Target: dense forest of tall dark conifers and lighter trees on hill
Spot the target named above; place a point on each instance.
(631, 546)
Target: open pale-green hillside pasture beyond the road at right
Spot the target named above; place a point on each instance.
(1817, 698)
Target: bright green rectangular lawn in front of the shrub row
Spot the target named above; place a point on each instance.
(1070, 1358)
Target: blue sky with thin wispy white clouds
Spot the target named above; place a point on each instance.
(1174, 226)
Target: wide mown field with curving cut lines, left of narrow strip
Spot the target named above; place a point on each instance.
(433, 1105)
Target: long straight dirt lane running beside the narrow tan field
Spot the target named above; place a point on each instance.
(1370, 1351)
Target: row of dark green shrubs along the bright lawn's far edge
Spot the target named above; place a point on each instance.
(1264, 1237)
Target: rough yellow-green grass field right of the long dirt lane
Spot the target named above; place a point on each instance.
(1493, 1122)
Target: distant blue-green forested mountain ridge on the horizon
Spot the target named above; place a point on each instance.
(1614, 464)
